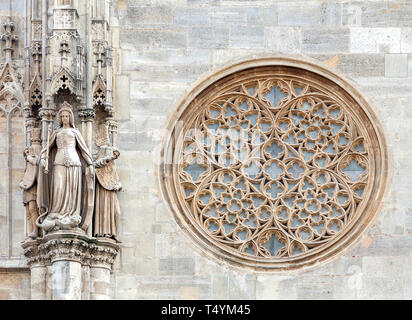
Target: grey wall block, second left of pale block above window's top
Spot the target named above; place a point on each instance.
(209, 37)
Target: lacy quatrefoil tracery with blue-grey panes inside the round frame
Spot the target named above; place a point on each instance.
(274, 167)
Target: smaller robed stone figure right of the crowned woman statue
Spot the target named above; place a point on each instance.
(107, 208)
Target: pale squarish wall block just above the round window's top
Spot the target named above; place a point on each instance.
(283, 39)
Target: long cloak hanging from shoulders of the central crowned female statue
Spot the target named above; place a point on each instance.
(44, 192)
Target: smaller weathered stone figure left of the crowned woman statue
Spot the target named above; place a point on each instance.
(29, 182)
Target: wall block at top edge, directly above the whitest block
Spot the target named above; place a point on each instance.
(365, 14)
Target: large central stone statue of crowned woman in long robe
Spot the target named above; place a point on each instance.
(66, 177)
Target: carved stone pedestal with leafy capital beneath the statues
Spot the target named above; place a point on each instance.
(66, 265)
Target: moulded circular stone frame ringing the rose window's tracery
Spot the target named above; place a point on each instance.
(171, 145)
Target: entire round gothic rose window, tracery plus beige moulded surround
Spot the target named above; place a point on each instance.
(275, 167)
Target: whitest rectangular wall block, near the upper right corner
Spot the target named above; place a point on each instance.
(375, 40)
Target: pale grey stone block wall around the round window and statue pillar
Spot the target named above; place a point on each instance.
(160, 48)
